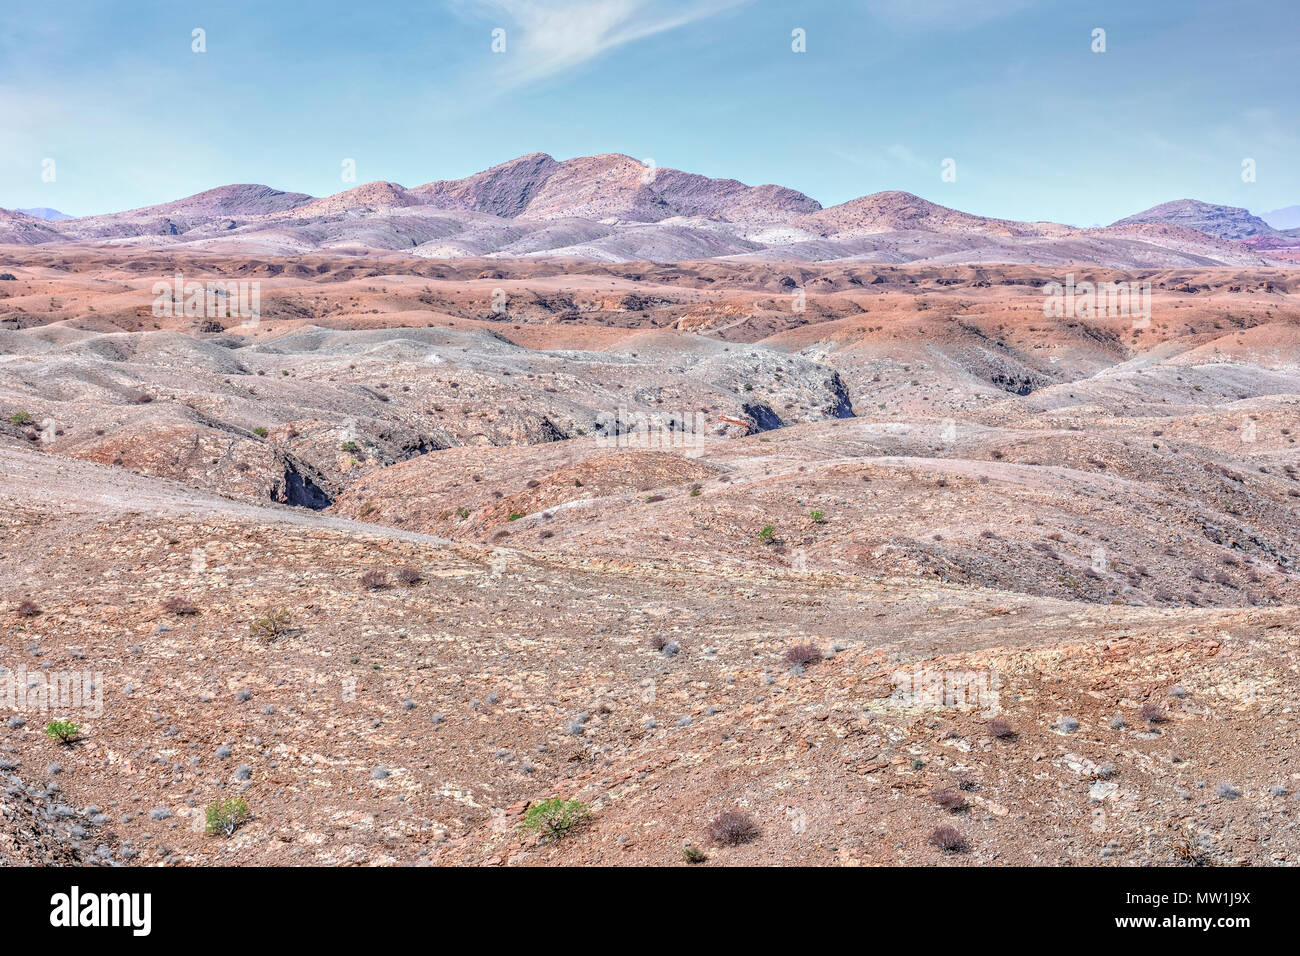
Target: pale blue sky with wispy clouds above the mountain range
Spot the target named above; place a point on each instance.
(1038, 124)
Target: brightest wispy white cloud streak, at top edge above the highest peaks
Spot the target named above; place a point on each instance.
(545, 38)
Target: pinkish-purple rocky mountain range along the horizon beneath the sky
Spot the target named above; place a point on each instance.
(616, 209)
